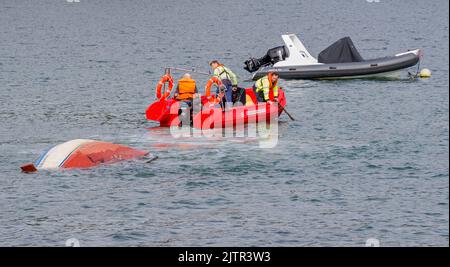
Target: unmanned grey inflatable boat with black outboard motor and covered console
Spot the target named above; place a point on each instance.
(340, 60)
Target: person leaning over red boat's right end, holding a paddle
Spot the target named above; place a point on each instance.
(266, 88)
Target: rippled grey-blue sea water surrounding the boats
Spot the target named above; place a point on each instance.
(365, 158)
